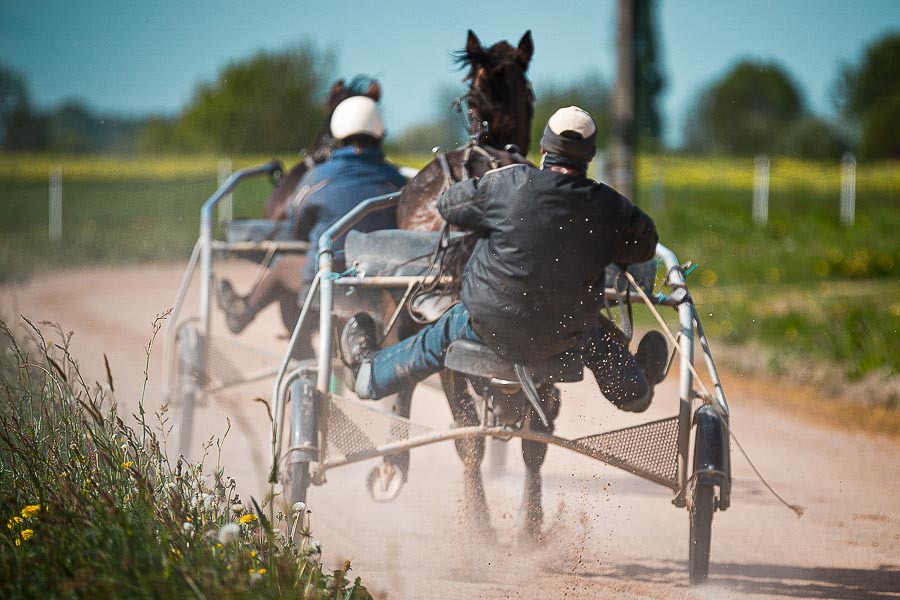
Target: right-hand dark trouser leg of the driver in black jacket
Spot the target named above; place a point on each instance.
(620, 377)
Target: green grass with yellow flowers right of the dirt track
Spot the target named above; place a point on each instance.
(802, 286)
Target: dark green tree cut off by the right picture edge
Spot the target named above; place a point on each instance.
(869, 93)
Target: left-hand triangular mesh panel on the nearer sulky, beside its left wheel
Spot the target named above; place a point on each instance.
(355, 428)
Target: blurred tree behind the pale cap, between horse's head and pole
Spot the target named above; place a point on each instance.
(589, 92)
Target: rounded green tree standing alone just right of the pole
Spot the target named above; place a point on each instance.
(745, 112)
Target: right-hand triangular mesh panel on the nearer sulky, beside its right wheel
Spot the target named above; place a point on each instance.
(649, 450)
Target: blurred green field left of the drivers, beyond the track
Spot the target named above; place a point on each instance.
(108, 222)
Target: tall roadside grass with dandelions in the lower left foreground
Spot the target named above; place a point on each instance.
(91, 507)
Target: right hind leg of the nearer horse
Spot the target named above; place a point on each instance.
(534, 454)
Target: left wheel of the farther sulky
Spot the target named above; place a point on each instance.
(188, 384)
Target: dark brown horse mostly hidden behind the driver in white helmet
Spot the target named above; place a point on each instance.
(277, 204)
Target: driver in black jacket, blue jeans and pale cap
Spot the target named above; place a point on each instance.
(533, 289)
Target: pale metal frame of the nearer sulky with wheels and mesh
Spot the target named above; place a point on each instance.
(327, 430)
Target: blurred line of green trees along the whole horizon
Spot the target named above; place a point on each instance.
(272, 102)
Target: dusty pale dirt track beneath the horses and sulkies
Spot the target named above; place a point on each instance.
(609, 534)
